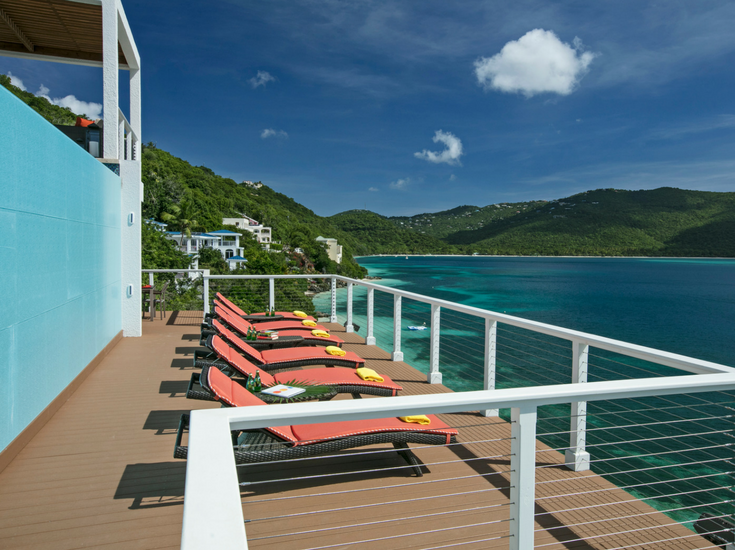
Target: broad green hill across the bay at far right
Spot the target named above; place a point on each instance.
(662, 222)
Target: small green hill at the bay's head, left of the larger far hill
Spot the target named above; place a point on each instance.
(377, 235)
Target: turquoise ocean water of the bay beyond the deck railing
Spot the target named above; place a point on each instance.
(685, 306)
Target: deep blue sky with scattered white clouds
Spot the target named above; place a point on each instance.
(405, 107)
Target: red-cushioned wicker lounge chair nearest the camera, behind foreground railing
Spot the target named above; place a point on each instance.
(306, 440)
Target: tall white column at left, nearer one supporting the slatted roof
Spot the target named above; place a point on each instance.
(110, 79)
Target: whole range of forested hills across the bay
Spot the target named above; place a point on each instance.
(661, 222)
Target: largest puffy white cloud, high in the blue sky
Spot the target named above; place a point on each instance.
(537, 62)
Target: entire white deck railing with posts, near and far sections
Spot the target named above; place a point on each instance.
(210, 443)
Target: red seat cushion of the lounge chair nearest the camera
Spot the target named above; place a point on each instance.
(315, 433)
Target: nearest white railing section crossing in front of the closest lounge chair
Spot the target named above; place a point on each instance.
(213, 515)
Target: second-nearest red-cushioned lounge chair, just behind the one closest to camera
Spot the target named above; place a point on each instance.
(342, 380)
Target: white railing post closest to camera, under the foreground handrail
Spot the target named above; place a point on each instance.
(522, 476)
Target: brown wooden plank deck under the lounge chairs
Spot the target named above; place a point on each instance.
(100, 474)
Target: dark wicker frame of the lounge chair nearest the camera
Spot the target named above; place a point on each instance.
(268, 446)
